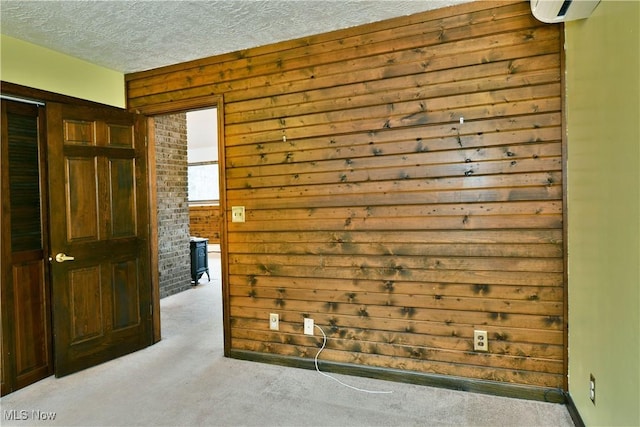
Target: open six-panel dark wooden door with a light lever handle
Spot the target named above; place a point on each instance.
(97, 169)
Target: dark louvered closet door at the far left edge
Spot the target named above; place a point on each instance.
(25, 291)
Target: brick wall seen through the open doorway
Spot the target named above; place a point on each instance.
(173, 209)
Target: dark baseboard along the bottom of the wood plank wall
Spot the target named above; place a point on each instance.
(433, 380)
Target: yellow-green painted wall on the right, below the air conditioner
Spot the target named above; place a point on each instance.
(603, 118)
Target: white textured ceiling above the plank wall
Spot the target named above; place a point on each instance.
(133, 35)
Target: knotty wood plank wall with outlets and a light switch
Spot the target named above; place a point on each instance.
(372, 209)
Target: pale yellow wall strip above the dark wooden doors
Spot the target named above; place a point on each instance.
(34, 66)
